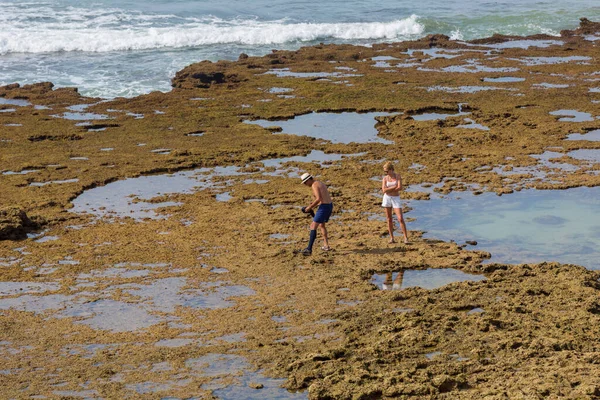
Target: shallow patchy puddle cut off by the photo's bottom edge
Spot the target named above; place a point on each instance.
(230, 365)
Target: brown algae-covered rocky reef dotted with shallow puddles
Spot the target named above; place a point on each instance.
(114, 300)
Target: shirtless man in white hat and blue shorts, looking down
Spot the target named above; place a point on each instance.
(323, 200)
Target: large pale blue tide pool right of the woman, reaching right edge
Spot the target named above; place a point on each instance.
(529, 226)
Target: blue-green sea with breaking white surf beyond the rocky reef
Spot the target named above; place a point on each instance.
(111, 48)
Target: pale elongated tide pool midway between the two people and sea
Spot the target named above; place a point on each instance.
(345, 127)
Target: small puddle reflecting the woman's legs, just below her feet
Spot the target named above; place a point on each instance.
(427, 279)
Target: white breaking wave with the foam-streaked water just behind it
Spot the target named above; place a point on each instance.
(105, 30)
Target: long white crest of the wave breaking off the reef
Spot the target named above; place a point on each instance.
(79, 36)
